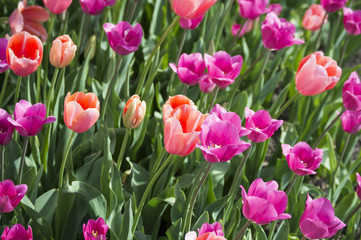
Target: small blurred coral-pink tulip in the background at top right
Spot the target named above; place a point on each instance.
(312, 20)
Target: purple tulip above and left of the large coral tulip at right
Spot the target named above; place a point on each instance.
(278, 33)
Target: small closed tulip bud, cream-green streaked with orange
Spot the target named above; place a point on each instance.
(134, 112)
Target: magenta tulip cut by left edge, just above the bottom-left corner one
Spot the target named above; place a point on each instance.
(11, 195)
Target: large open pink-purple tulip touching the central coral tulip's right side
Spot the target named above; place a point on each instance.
(220, 140)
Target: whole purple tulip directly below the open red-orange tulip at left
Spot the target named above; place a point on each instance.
(29, 119)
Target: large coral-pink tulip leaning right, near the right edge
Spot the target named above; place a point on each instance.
(317, 73)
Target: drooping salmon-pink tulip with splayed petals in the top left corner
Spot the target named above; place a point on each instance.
(28, 19)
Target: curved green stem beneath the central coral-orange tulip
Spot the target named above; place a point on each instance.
(147, 191)
